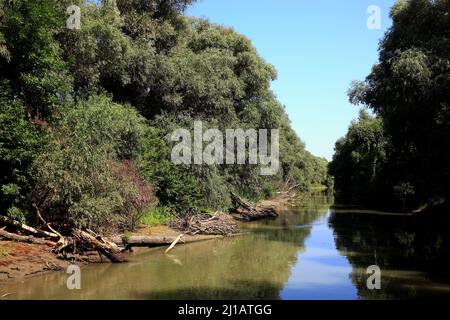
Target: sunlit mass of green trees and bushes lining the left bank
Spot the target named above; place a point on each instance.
(85, 112)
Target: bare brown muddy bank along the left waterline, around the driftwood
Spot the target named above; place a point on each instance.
(20, 261)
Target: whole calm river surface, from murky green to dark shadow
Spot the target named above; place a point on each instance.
(313, 251)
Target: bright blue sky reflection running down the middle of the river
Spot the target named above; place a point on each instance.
(320, 272)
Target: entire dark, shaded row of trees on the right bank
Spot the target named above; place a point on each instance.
(400, 157)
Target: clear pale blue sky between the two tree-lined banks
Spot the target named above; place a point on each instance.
(317, 46)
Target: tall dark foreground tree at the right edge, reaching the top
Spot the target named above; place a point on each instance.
(408, 91)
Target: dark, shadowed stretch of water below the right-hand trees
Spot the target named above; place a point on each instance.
(412, 252)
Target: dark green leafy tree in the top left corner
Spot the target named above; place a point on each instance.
(34, 65)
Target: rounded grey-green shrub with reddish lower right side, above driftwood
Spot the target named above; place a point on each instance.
(86, 177)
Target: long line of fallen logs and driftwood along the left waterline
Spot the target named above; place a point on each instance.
(205, 227)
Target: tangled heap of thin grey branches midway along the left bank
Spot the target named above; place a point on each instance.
(194, 224)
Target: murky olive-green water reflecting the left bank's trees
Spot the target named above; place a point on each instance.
(254, 266)
